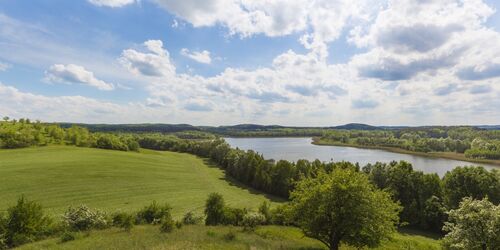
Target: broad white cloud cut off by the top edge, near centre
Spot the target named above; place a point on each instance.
(322, 21)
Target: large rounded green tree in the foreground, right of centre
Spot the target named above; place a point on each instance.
(343, 207)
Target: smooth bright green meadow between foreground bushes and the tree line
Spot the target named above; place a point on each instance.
(59, 176)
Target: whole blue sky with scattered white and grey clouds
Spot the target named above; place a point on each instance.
(226, 62)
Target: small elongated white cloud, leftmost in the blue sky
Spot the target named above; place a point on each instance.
(71, 73)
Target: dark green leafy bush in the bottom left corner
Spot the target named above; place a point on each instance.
(25, 222)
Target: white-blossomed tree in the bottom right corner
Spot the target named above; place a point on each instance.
(474, 225)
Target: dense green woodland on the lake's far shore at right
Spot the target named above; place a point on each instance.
(475, 143)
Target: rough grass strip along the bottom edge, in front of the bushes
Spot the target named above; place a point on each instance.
(202, 237)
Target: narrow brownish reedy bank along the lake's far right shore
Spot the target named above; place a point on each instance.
(447, 155)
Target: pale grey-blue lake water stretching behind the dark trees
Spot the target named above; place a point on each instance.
(293, 149)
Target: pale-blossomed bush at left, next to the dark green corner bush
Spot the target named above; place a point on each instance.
(83, 218)
